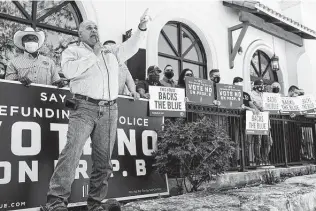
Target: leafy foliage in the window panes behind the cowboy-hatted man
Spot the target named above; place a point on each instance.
(55, 42)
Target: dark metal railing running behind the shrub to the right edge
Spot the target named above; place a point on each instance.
(291, 140)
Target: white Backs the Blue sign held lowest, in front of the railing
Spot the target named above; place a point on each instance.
(257, 124)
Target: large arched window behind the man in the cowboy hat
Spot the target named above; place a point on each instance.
(58, 19)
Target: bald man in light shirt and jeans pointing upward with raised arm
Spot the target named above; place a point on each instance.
(93, 73)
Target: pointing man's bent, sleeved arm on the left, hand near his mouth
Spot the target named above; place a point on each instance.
(72, 66)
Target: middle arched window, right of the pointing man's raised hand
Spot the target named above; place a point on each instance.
(180, 47)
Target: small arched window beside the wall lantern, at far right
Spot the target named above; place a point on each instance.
(260, 68)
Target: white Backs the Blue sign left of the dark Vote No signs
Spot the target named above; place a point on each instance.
(167, 101)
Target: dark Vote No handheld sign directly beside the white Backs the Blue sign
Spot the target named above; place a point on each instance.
(199, 90)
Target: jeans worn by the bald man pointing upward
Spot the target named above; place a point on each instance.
(99, 122)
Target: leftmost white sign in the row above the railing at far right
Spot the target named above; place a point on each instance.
(271, 102)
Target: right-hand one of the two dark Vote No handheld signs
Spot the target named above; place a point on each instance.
(230, 96)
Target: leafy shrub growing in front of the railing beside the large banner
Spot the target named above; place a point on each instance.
(198, 150)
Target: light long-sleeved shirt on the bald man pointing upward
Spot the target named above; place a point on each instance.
(97, 76)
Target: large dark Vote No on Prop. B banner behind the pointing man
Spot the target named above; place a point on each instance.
(33, 128)
